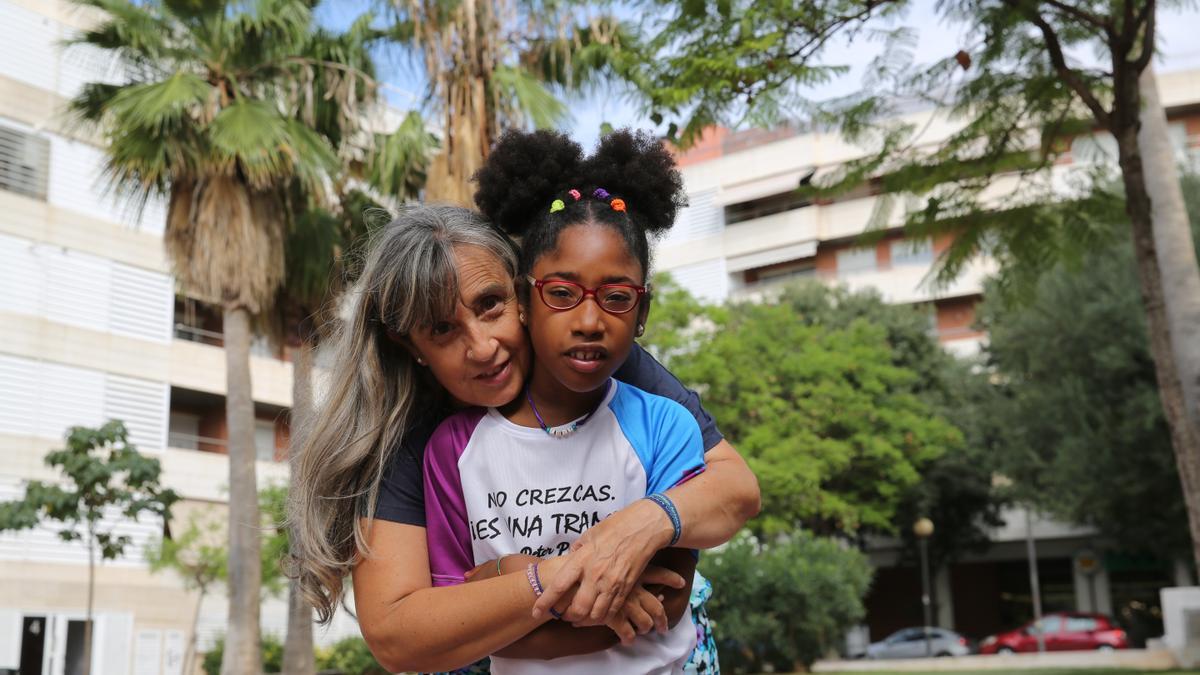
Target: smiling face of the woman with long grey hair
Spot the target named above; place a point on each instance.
(481, 355)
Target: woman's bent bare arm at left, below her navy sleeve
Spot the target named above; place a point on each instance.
(412, 626)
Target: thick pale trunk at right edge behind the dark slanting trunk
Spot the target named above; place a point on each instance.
(1168, 276)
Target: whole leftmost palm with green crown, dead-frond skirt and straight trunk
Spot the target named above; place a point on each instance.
(217, 116)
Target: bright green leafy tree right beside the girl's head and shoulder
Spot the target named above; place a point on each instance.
(827, 420)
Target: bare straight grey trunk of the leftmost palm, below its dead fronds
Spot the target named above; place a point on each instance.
(243, 648)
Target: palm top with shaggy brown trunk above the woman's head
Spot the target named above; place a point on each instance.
(497, 64)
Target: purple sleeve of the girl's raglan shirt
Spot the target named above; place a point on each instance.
(447, 529)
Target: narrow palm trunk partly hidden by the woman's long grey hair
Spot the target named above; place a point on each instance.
(298, 658)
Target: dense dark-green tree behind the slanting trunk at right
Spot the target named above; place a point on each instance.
(1087, 438)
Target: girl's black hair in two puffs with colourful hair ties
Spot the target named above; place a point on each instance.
(527, 172)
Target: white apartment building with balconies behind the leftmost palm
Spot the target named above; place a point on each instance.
(92, 330)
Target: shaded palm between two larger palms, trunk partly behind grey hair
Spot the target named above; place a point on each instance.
(393, 169)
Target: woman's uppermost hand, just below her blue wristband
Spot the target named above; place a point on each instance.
(607, 563)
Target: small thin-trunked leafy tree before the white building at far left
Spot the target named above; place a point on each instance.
(103, 475)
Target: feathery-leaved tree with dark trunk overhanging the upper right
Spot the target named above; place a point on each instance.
(1016, 98)
